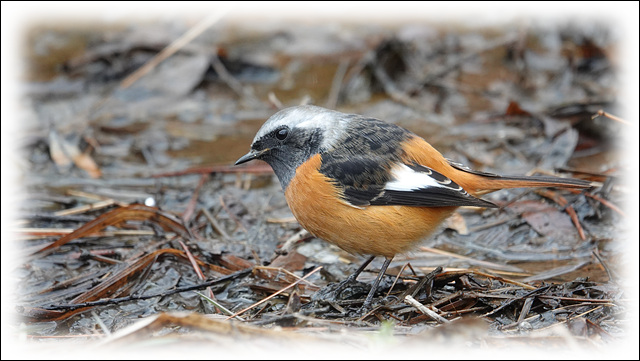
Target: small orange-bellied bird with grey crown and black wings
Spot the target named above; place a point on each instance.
(368, 186)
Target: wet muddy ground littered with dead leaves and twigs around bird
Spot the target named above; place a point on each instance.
(132, 204)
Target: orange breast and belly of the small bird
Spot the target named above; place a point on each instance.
(374, 230)
